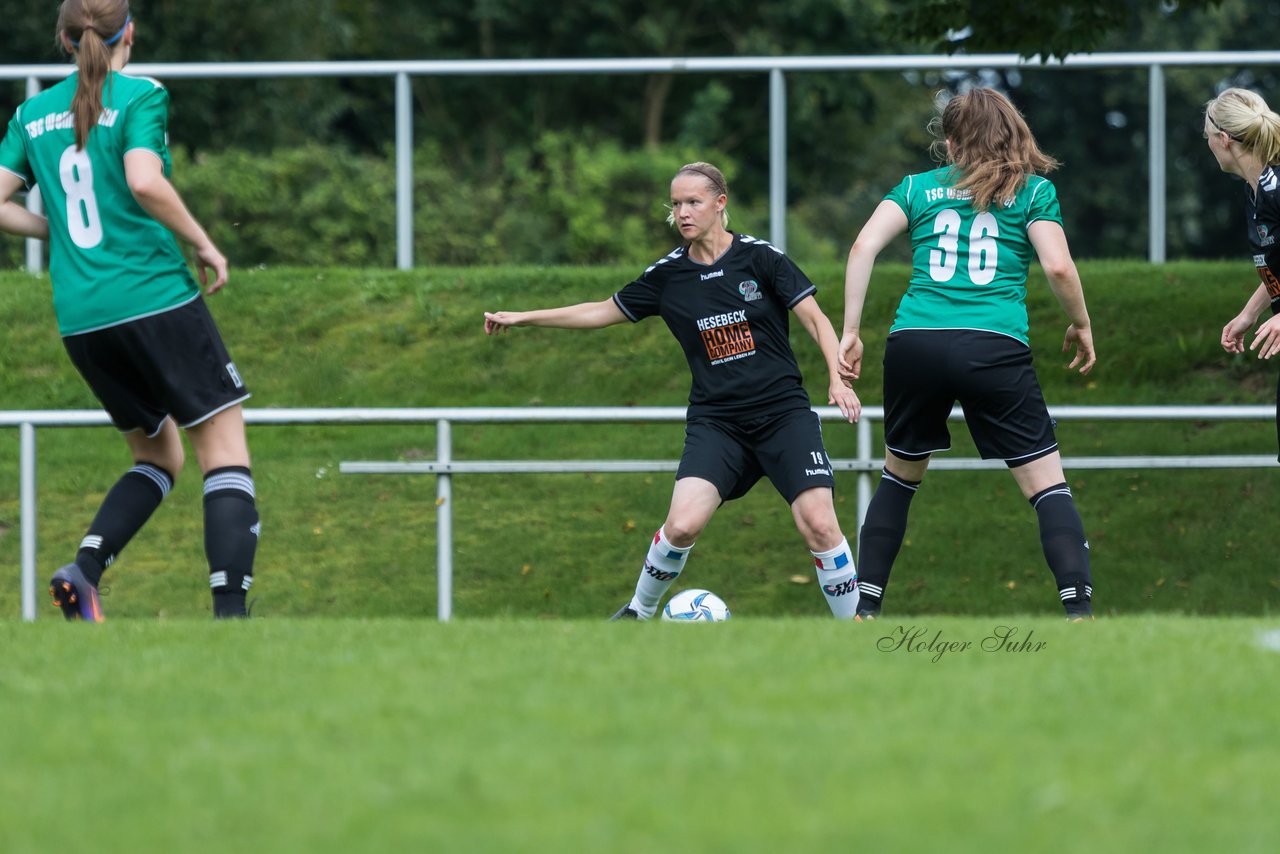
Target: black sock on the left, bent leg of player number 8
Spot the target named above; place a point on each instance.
(124, 513)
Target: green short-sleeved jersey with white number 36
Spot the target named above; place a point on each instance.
(968, 267)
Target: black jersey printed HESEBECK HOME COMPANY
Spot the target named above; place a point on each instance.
(733, 319)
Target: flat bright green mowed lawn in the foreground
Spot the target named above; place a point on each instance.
(931, 734)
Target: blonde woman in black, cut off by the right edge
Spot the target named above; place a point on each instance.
(1245, 138)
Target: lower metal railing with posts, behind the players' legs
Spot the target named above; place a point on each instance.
(866, 460)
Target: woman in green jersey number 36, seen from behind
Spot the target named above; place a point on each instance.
(961, 332)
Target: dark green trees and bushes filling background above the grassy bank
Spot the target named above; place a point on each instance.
(502, 143)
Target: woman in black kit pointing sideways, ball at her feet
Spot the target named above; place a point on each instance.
(726, 299)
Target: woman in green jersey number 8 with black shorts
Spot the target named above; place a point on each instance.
(131, 314)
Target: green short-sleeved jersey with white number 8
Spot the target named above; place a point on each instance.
(109, 261)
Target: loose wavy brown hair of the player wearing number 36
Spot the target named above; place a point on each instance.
(986, 140)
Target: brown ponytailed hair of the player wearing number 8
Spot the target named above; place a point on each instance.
(90, 25)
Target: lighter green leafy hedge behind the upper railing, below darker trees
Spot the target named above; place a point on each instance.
(561, 202)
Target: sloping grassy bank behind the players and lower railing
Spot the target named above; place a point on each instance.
(569, 546)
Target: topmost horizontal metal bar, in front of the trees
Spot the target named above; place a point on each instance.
(657, 65)
